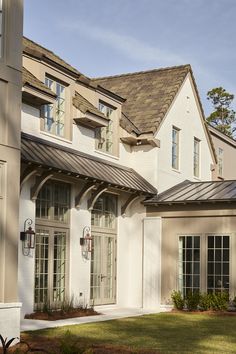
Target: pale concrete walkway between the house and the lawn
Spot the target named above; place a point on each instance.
(107, 313)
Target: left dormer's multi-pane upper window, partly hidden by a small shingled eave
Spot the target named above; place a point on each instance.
(54, 114)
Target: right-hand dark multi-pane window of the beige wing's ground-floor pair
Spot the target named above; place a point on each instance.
(218, 264)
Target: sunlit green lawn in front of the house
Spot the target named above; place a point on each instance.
(166, 333)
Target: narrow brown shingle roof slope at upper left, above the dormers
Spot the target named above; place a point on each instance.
(32, 48)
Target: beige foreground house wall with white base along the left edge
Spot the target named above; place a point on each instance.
(11, 17)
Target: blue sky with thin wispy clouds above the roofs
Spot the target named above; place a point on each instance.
(109, 37)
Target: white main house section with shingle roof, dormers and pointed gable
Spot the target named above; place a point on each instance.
(92, 151)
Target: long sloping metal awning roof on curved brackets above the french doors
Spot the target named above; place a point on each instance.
(50, 155)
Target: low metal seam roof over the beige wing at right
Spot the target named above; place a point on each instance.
(190, 192)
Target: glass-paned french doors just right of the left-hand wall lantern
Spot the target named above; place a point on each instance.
(50, 266)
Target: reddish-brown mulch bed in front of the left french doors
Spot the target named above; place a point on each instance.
(61, 315)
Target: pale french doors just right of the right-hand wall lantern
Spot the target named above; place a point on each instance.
(103, 268)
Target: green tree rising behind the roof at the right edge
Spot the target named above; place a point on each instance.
(223, 117)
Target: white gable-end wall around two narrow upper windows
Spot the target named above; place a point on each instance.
(184, 115)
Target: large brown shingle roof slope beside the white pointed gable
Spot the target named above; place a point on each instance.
(149, 94)
